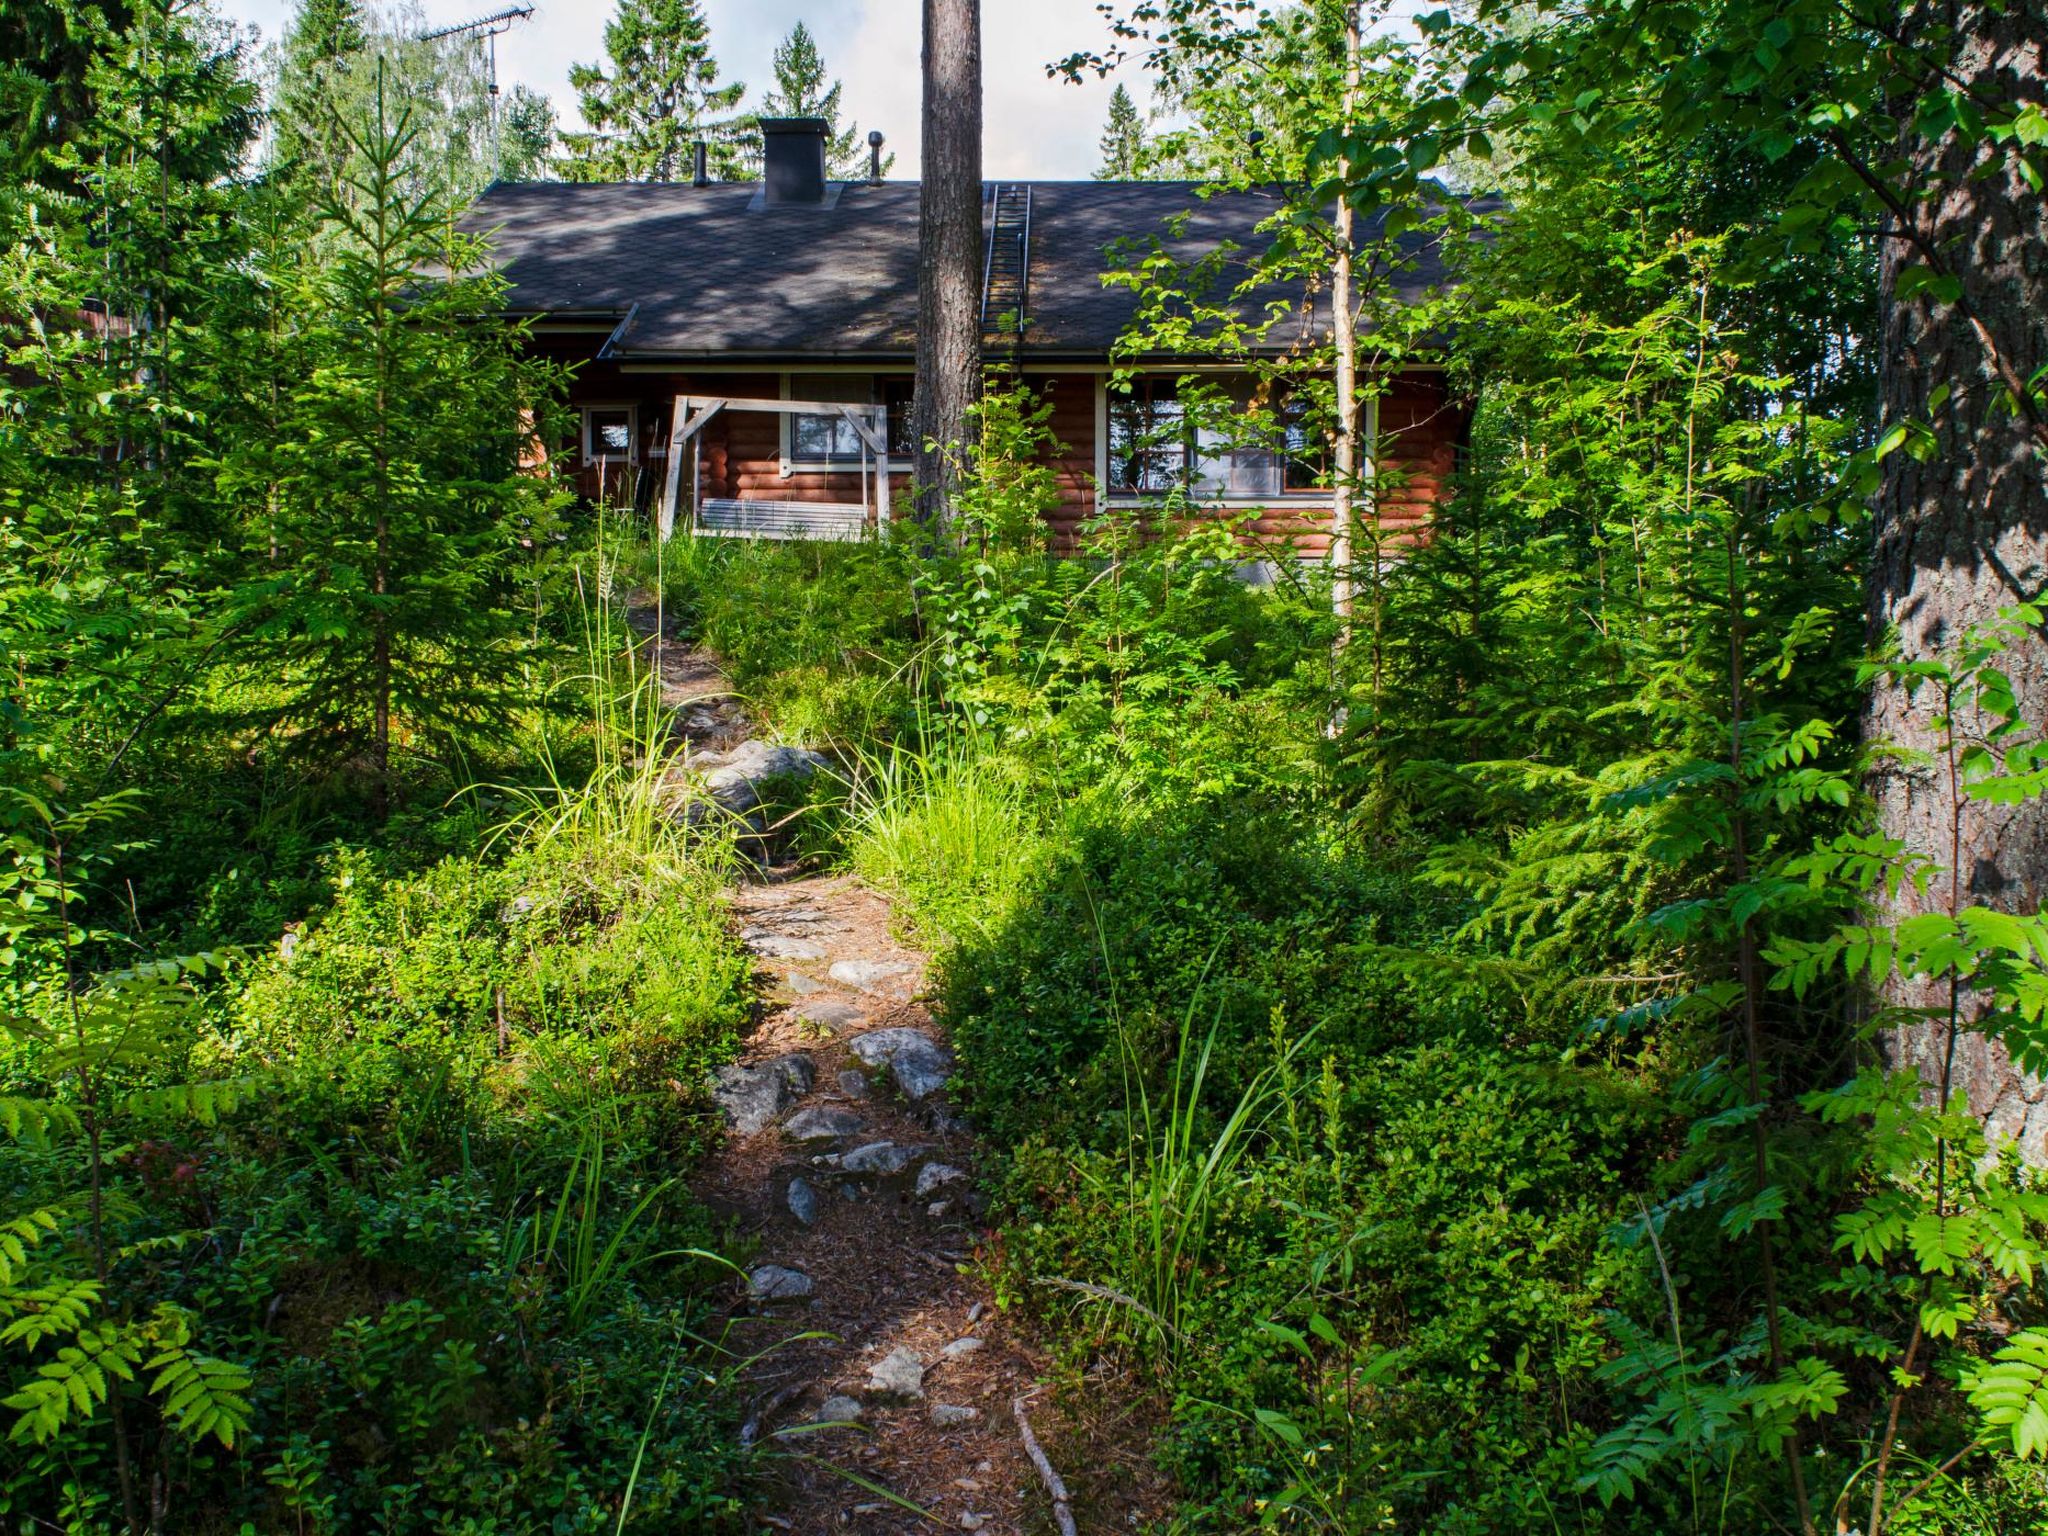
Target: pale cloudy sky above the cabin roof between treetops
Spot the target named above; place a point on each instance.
(1033, 128)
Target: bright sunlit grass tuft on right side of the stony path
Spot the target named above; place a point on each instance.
(947, 830)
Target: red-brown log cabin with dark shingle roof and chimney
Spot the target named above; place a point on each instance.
(744, 351)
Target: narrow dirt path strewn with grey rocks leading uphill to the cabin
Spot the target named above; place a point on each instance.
(851, 1187)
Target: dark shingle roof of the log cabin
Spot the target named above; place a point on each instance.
(706, 271)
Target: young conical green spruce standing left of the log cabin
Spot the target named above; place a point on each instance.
(386, 624)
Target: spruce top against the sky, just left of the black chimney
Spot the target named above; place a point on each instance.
(658, 95)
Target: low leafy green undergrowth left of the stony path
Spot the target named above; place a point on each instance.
(390, 1224)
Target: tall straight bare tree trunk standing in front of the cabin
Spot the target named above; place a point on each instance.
(949, 253)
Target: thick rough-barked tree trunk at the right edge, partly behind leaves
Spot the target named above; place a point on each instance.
(1965, 536)
